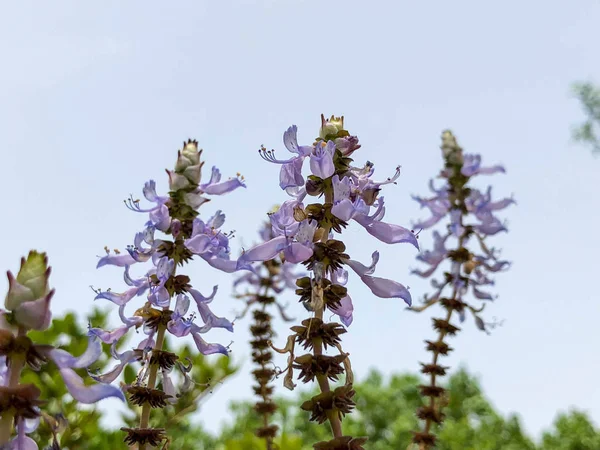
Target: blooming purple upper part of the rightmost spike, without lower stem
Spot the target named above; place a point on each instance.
(470, 216)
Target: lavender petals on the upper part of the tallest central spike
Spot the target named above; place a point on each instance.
(355, 196)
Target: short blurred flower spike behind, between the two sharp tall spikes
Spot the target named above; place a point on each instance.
(263, 285)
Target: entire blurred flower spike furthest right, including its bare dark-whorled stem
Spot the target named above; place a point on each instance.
(470, 216)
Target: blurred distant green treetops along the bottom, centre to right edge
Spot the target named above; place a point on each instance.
(386, 413)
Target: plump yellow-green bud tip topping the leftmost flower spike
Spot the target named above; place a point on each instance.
(31, 282)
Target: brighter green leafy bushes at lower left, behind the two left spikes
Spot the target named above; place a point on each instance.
(82, 423)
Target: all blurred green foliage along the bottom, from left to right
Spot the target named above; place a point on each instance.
(385, 411)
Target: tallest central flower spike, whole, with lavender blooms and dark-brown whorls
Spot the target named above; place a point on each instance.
(305, 234)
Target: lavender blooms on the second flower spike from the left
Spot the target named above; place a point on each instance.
(204, 239)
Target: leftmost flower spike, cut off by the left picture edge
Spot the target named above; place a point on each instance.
(27, 306)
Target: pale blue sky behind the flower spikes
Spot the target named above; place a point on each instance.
(96, 100)
